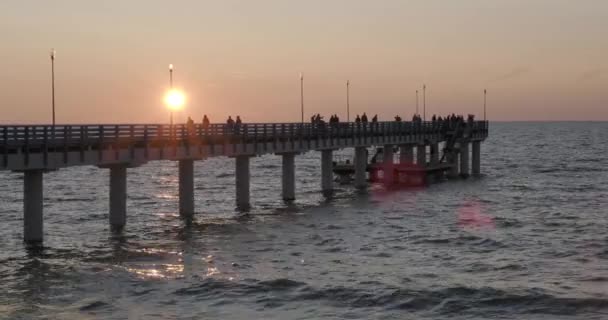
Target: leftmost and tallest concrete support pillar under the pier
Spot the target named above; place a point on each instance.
(32, 206)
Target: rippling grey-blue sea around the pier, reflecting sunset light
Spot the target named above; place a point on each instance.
(526, 240)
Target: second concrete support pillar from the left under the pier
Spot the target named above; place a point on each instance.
(118, 196)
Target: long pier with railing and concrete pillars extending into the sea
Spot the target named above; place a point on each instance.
(33, 150)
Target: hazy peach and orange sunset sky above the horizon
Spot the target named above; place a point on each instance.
(538, 59)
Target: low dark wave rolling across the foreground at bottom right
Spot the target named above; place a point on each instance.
(377, 295)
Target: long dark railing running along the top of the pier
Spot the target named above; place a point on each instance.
(49, 136)
